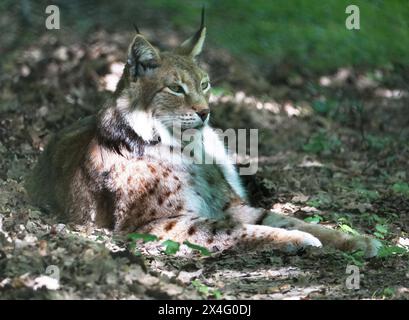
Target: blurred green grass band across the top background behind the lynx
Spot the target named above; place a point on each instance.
(306, 34)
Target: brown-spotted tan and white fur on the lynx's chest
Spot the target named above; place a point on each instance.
(164, 181)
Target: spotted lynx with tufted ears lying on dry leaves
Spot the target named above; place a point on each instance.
(115, 169)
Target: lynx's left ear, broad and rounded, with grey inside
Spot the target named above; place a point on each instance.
(143, 58)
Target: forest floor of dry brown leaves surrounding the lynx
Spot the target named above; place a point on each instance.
(332, 149)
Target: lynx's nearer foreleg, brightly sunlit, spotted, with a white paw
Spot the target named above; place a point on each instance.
(228, 234)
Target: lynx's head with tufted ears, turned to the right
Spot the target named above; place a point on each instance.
(170, 87)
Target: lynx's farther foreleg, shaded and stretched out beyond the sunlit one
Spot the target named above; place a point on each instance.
(334, 238)
